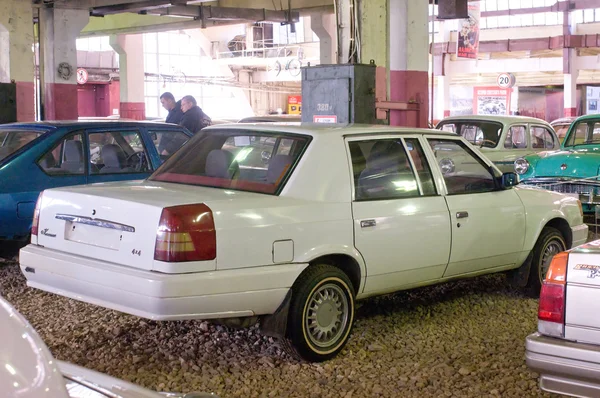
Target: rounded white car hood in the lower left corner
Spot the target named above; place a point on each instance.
(27, 368)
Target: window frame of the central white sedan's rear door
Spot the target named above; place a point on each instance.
(370, 137)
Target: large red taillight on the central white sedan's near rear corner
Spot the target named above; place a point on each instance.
(186, 233)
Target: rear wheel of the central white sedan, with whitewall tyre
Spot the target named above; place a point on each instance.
(321, 314)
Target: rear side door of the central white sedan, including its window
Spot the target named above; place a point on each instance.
(401, 222)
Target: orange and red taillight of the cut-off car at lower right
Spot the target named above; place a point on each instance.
(551, 312)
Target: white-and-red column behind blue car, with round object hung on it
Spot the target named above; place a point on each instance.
(58, 64)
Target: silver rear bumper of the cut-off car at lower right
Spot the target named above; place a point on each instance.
(565, 367)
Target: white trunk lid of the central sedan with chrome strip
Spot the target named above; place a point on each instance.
(116, 222)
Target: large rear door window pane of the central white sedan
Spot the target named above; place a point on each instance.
(385, 172)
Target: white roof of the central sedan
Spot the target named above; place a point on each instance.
(316, 129)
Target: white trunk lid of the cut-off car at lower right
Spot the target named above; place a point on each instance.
(583, 294)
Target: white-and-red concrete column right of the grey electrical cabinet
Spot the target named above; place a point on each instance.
(408, 55)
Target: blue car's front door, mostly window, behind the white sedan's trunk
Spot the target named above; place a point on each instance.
(117, 154)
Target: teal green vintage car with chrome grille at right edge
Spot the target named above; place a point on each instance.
(574, 169)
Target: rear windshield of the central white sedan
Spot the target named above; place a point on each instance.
(235, 159)
